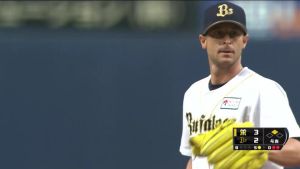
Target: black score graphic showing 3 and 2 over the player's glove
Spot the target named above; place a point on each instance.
(259, 138)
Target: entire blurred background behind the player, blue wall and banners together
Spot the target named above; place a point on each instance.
(99, 84)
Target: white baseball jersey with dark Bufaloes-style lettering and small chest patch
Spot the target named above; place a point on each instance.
(246, 97)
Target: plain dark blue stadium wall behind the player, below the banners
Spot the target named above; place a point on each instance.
(99, 100)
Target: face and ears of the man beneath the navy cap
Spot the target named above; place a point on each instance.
(224, 44)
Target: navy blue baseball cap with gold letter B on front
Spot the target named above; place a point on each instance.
(224, 12)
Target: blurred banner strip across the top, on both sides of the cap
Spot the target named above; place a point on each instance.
(265, 19)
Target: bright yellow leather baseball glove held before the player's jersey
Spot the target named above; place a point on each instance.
(217, 145)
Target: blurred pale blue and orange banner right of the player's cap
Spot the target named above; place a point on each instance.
(268, 19)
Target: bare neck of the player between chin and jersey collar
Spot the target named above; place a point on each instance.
(222, 76)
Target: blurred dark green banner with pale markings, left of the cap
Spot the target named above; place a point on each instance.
(100, 15)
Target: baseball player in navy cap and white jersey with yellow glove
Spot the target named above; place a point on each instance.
(231, 95)
